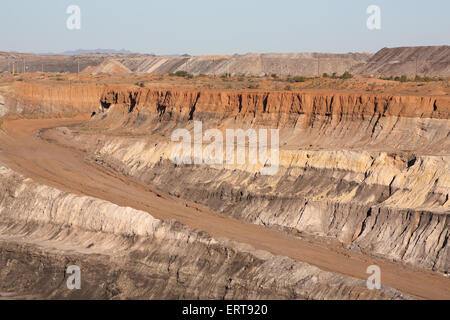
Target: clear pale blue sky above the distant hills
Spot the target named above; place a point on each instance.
(222, 27)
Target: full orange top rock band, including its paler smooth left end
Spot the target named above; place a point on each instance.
(86, 98)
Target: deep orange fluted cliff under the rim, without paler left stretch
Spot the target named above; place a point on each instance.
(241, 102)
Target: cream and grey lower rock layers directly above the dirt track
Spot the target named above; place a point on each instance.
(316, 202)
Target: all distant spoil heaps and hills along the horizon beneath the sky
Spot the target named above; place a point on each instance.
(432, 60)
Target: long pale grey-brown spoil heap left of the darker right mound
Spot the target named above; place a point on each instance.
(248, 64)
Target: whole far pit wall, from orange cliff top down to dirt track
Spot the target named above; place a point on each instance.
(362, 169)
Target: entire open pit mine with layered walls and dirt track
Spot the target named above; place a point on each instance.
(87, 179)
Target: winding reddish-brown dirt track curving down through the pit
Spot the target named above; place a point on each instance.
(68, 169)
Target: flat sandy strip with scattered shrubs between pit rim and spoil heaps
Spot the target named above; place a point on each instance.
(440, 86)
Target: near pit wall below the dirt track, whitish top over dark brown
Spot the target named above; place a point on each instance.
(126, 253)
